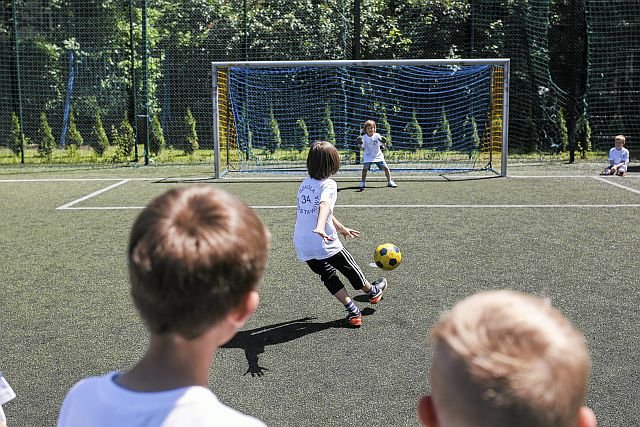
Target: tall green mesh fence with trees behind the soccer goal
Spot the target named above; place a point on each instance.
(84, 79)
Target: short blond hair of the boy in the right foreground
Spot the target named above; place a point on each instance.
(503, 358)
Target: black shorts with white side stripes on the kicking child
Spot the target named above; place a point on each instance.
(343, 262)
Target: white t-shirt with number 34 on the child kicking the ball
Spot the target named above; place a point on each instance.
(310, 245)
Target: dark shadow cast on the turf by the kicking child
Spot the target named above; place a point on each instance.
(254, 341)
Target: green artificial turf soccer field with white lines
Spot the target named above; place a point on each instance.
(562, 232)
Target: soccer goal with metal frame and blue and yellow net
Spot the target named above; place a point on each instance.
(436, 115)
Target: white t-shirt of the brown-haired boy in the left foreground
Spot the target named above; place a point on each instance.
(101, 402)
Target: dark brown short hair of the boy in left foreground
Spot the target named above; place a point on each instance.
(194, 253)
